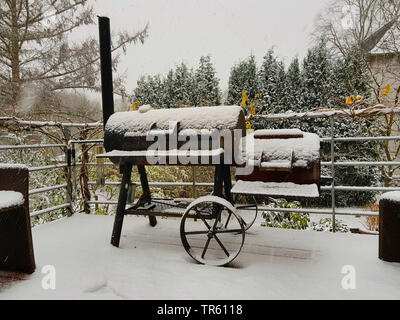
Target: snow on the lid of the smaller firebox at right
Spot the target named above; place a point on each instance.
(300, 151)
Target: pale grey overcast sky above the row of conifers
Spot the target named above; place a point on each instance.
(228, 30)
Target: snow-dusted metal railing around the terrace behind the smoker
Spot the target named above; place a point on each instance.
(70, 162)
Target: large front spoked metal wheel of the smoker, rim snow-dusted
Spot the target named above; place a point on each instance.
(217, 234)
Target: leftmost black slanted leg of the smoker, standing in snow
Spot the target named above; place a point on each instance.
(123, 195)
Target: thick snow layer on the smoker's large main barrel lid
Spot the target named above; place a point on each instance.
(220, 117)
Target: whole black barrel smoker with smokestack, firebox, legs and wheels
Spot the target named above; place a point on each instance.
(268, 163)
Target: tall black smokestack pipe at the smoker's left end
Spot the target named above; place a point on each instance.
(106, 69)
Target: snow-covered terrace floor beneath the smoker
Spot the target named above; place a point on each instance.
(152, 264)
